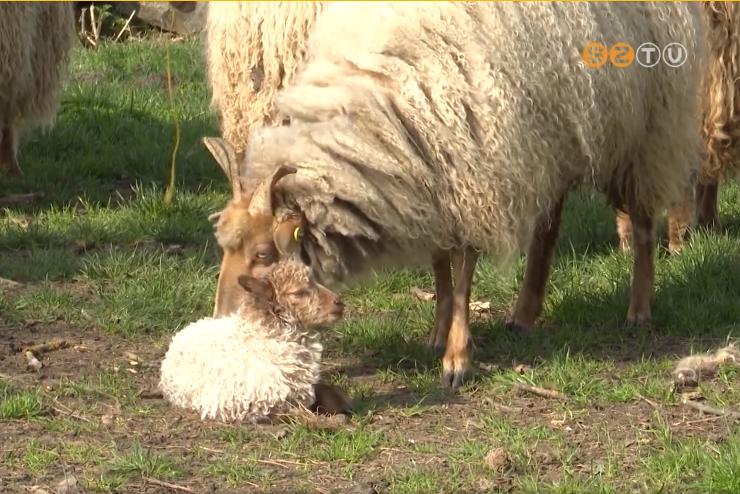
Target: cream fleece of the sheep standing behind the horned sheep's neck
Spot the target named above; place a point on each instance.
(252, 50)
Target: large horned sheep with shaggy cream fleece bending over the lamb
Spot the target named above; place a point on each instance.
(419, 130)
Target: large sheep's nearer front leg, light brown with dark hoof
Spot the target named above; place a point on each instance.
(457, 358)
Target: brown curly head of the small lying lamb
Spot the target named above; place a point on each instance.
(289, 289)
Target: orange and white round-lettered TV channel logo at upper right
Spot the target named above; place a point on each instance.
(622, 55)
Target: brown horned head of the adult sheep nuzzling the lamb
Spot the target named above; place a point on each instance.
(247, 230)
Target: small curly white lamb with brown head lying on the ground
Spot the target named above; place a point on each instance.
(258, 362)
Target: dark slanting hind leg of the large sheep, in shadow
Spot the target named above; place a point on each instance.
(539, 259)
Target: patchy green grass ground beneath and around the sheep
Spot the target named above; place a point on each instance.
(102, 253)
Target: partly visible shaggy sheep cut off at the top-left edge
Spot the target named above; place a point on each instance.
(35, 41)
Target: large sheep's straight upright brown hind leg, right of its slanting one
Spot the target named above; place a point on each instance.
(643, 268)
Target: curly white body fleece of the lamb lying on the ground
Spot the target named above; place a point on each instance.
(231, 369)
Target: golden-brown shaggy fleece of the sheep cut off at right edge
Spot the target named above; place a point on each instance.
(721, 123)
